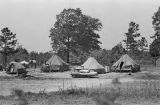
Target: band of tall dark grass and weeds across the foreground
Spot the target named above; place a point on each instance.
(103, 95)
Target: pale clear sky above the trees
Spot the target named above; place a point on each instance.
(31, 20)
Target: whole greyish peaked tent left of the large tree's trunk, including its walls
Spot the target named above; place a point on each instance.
(57, 64)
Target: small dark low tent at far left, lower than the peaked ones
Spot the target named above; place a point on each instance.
(14, 67)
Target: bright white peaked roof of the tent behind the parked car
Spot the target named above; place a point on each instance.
(92, 63)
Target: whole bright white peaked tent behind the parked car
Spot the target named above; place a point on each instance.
(91, 63)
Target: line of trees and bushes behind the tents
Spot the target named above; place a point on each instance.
(74, 36)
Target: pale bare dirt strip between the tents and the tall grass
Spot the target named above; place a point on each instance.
(55, 81)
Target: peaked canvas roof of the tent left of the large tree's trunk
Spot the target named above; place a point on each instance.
(56, 60)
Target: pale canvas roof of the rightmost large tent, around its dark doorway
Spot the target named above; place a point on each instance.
(127, 61)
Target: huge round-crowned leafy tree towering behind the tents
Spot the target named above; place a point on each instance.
(75, 31)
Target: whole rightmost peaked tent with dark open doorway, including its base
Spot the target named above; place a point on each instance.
(125, 63)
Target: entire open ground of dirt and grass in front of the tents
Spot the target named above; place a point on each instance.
(141, 88)
